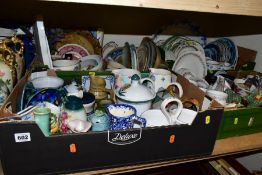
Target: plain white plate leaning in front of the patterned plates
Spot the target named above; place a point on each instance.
(193, 61)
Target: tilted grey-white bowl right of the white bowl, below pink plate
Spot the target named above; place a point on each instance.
(91, 63)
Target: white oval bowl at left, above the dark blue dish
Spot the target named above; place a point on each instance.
(47, 82)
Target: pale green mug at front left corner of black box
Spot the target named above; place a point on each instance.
(41, 115)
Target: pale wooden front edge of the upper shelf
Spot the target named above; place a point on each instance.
(237, 7)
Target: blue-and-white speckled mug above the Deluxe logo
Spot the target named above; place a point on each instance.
(123, 116)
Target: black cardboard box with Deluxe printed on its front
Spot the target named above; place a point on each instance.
(25, 150)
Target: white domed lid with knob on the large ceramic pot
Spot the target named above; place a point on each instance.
(135, 92)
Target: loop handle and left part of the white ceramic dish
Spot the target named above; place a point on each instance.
(162, 116)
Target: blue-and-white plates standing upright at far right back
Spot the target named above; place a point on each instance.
(222, 54)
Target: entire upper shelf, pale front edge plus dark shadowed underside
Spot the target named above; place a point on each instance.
(137, 17)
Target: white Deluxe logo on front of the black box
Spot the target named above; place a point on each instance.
(124, 137)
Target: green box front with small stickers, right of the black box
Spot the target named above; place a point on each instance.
(240, 122)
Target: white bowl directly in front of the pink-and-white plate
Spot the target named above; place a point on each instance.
(66, 65)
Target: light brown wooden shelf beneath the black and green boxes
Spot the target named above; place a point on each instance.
(223, 147)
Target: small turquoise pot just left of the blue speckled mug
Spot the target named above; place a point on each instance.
(99, 120)
